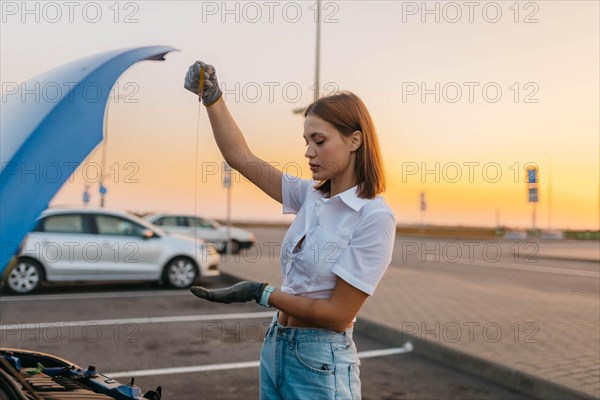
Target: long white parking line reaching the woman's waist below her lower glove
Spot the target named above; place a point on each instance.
(145, 320)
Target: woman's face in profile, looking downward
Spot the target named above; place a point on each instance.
(327, 150)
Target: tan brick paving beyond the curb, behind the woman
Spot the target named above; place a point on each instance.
(552, 335)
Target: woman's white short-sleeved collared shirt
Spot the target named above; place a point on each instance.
(345, 236)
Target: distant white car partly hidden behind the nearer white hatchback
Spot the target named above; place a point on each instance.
(205, 228)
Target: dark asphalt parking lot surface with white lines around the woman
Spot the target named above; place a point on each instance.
(196, 349)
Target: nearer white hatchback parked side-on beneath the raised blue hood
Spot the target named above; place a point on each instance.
(85, 244)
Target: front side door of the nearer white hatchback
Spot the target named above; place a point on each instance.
(126, 254)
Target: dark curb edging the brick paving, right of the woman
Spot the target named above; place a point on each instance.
(497, 373)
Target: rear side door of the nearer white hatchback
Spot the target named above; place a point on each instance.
(64, 244)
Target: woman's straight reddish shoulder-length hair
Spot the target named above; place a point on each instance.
(347, 113)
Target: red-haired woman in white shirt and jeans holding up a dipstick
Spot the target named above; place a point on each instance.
(334, 253)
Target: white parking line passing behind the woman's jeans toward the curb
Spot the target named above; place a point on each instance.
(248, 364)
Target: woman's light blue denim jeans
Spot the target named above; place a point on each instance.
(308, 363)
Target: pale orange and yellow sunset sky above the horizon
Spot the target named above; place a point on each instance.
(543, 57)
